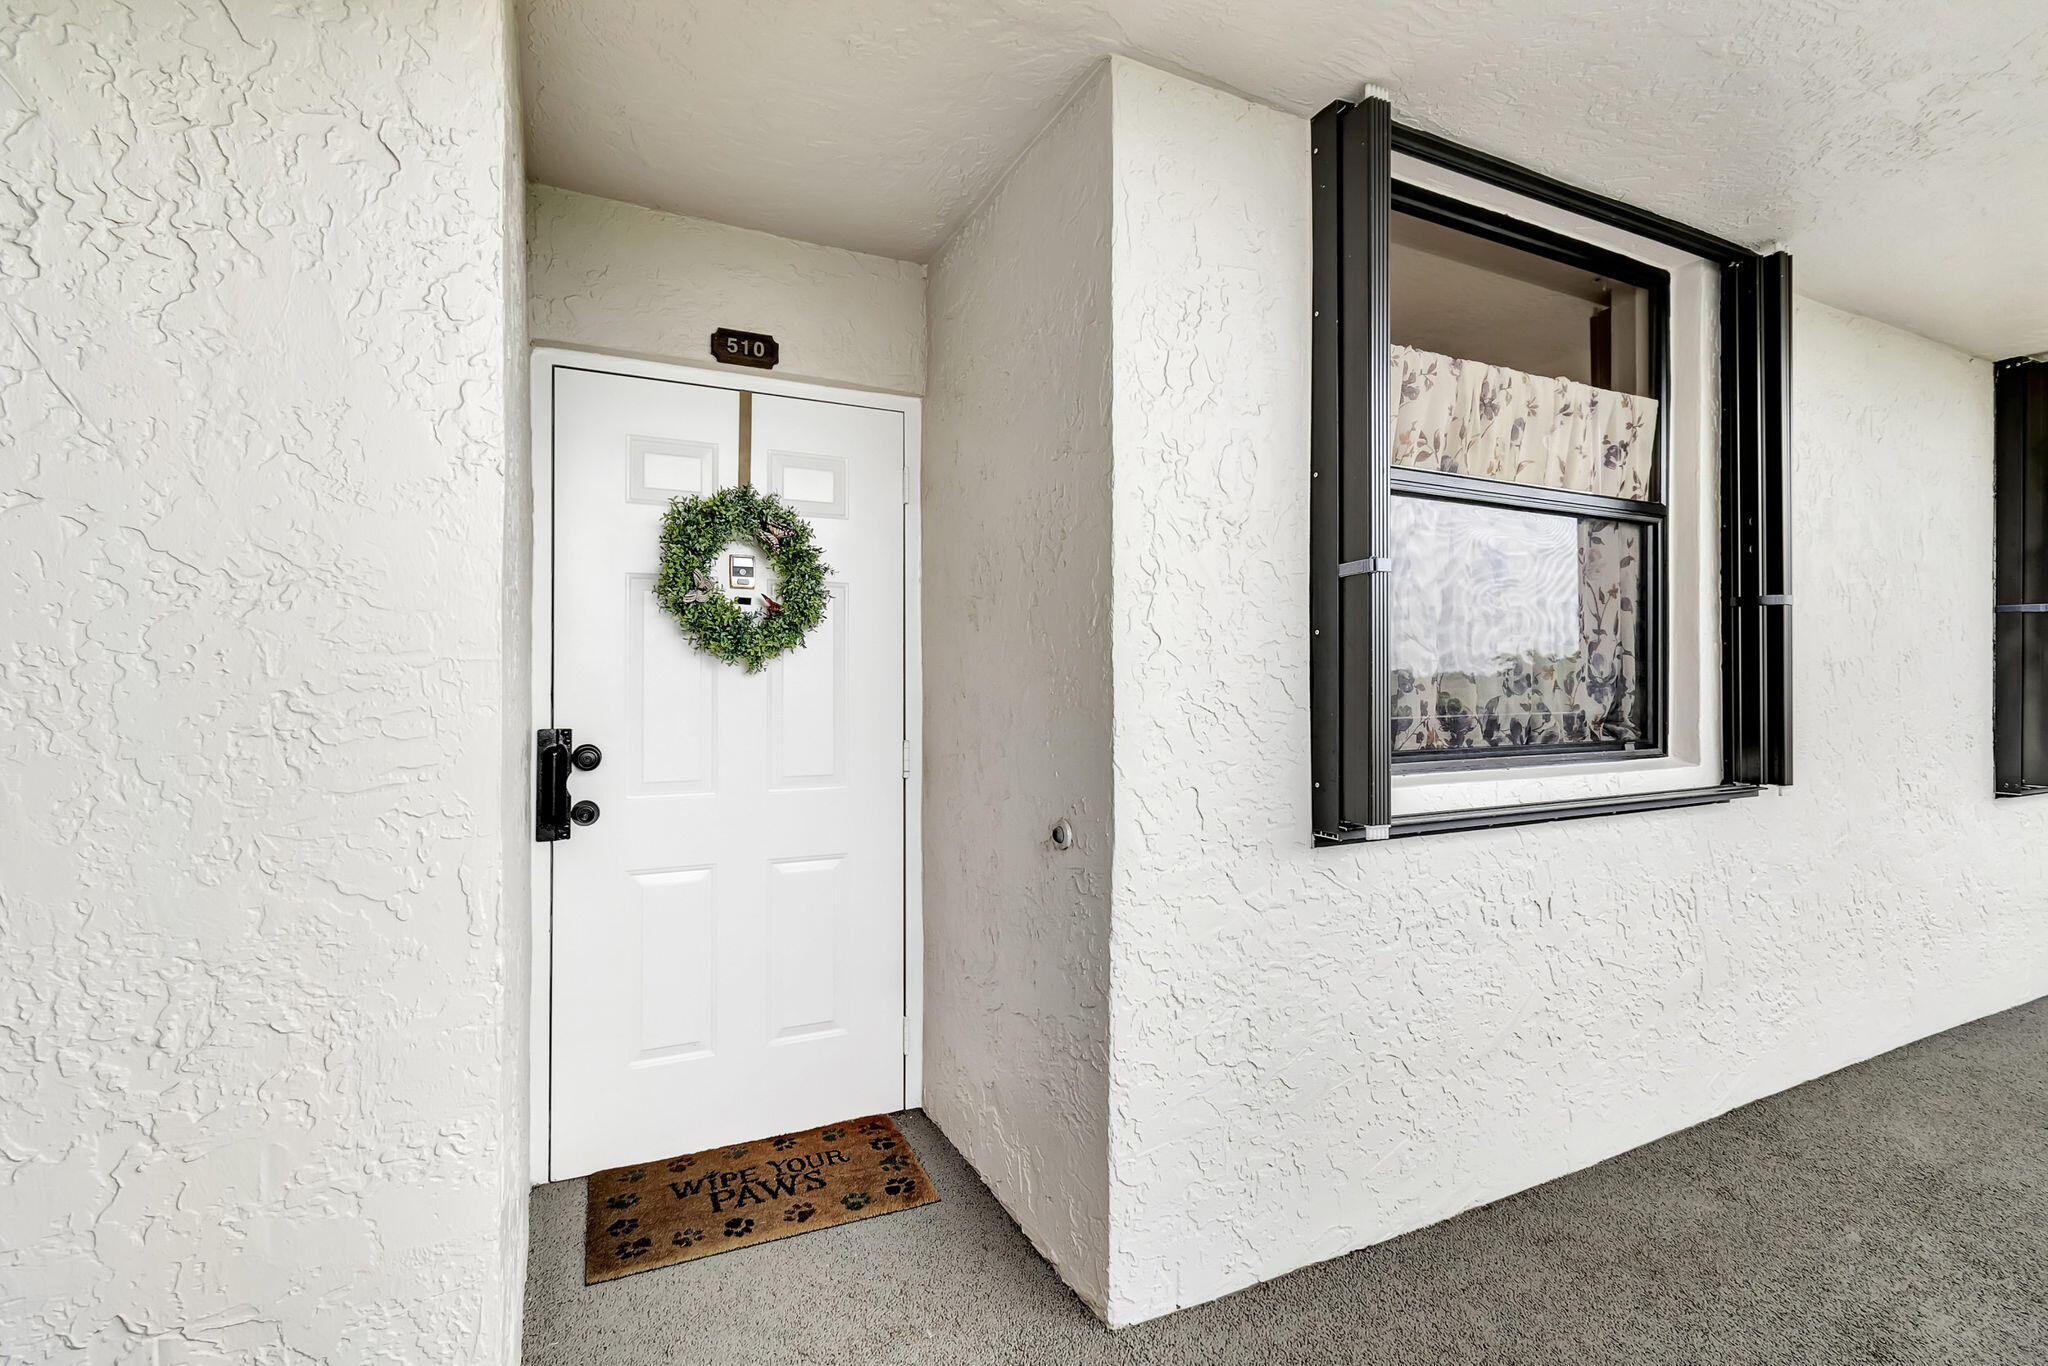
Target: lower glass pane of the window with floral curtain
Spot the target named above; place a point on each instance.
(1514, 630)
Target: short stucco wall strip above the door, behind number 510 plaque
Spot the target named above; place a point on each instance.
(628, 280)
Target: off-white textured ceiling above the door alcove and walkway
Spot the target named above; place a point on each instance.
(1900, 148)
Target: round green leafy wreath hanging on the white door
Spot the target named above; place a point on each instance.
(693, 536)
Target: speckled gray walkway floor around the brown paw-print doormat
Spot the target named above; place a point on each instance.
(1889, 1213)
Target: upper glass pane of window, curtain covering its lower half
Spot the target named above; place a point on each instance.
(1510, 366)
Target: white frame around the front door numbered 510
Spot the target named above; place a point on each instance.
(544, 654)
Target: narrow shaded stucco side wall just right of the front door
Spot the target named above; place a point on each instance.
(1017, 579)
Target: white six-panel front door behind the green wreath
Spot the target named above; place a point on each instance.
(728, 935)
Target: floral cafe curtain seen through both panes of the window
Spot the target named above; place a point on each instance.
(1514, 628)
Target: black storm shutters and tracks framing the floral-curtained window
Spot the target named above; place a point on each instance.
(1353, 484)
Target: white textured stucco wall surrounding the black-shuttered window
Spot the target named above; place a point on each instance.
(1318, 1050)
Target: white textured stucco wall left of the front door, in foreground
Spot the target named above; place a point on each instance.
(259, 1023)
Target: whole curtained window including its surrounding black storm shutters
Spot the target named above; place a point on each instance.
(1492, 493)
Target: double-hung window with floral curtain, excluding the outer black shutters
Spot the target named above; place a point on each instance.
(1527, 386)
